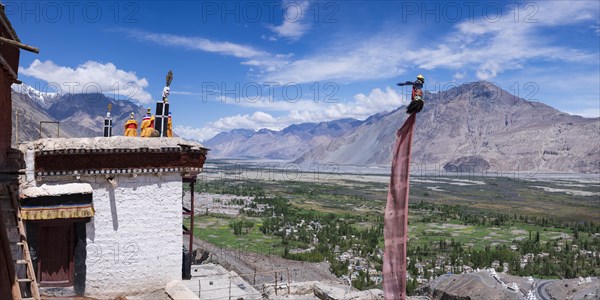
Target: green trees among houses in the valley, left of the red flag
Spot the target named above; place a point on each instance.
(335, 233)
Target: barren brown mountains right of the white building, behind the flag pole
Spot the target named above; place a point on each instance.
(469, 128)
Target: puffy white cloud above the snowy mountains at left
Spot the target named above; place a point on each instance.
(90, 77)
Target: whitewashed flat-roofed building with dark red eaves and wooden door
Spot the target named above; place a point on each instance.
(104, 215)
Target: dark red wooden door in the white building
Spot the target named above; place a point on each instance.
(55, 266)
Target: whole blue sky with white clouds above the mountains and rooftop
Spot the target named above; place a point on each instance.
(268, 64)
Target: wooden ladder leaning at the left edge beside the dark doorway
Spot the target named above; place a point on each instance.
(28, 286)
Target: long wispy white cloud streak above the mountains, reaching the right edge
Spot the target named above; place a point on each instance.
(484, 47)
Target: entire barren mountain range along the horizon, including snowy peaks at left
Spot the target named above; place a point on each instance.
(470, 128)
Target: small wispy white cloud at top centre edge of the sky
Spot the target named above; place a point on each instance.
(293, 26)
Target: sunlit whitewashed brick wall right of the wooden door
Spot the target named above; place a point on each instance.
(134, 241)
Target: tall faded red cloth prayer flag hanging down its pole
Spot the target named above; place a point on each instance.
(395, 229)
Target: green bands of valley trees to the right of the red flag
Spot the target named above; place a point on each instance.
(552, 259)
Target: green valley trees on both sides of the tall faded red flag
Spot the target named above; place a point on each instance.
(339, 230)
